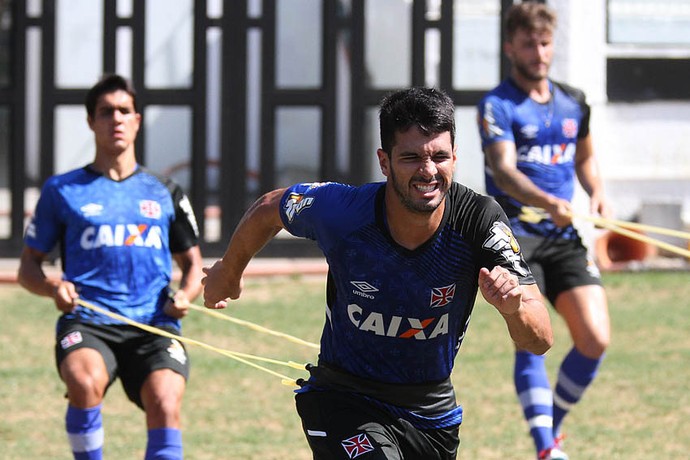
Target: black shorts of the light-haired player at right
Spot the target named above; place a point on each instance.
(559, 265)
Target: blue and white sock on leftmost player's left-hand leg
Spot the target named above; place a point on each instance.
(85, 432)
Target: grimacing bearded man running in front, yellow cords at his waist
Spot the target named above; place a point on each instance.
(406, 258)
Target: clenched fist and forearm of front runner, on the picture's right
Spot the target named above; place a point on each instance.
(521, 307)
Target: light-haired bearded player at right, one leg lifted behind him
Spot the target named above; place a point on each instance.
(536, 139)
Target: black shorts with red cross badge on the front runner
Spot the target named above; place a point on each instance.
(341, 425)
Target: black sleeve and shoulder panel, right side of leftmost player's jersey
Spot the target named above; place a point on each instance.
(184, 230)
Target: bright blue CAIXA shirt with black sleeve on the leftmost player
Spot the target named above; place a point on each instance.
(116, 239)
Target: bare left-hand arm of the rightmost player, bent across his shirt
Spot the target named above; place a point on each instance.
(502, 159)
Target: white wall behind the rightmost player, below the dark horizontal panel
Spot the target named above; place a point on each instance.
(643, 153)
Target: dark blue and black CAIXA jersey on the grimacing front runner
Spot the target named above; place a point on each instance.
(398, 316)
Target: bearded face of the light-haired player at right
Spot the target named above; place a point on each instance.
(531, 53)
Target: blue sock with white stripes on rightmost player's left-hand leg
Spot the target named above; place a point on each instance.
(536, 398)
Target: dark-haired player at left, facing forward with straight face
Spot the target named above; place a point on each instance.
(118, 227)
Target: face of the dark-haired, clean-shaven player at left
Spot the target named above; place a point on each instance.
(115, 122)
